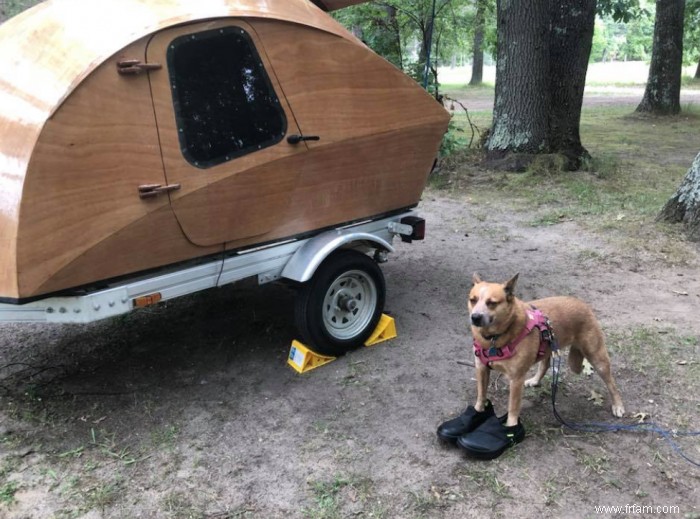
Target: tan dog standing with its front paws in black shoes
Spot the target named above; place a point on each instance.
(498, 318)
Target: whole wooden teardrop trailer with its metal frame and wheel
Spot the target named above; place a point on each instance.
(150, 150)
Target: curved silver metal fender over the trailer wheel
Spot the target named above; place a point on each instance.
(302, 266)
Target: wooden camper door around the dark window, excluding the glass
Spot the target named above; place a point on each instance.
(239, 198)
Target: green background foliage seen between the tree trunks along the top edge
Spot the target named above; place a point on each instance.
(624, 30)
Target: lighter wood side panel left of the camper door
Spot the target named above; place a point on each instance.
(82, 182)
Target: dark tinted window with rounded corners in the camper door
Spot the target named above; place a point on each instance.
(224, 102)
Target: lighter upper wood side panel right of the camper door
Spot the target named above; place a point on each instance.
(338, 90)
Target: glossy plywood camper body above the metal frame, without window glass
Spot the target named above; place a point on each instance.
(83, 144)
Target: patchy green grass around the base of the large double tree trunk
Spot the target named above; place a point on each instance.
(637, 163)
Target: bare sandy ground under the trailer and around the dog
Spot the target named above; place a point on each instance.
(188, 409)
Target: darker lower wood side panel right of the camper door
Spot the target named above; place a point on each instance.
(351, 180)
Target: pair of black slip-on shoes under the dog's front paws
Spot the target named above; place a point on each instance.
(482, 434)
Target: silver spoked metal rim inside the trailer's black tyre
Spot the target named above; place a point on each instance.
(349, 304)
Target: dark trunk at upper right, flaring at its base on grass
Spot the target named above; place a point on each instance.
(663, 90)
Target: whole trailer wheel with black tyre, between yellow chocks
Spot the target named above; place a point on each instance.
(339, 307)
